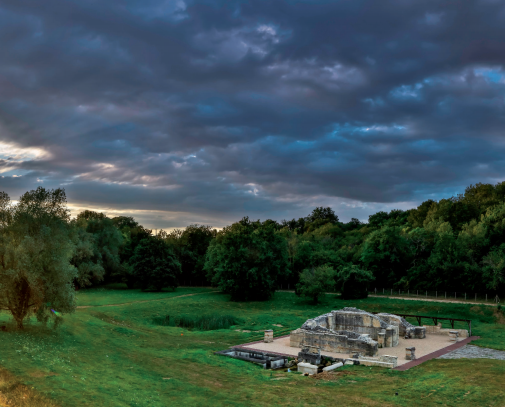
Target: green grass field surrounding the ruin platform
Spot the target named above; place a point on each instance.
(122, 356)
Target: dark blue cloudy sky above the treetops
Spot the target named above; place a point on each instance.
(186, 111)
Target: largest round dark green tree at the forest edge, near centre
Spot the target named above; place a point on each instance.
(247, 261)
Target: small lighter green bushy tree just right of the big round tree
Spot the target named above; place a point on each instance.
(315, 282)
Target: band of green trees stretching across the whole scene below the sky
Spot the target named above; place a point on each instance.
(455, 244)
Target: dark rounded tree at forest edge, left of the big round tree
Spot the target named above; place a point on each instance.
(154, 265)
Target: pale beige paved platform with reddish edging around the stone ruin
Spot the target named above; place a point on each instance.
(427, 348)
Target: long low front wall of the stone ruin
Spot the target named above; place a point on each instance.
(341, 341)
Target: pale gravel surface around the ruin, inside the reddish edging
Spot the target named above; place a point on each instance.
(431, 343)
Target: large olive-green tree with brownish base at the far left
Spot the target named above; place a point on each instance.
(35, 252)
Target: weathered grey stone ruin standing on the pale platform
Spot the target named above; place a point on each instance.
(351, 330)
